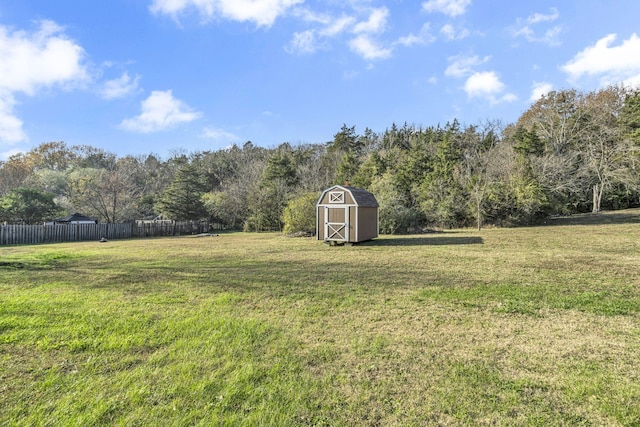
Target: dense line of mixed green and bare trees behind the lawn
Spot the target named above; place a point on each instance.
(570, 152)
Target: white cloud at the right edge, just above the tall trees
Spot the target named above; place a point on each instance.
(610, 64)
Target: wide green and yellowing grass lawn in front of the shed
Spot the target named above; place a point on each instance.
(526, 326)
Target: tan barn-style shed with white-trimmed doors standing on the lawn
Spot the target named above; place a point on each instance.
(346, 214)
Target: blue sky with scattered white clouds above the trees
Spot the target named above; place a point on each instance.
(137, 77)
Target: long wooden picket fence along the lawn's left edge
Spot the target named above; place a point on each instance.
(33, 234)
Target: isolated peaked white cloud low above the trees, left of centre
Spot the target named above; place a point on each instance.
(160, 111)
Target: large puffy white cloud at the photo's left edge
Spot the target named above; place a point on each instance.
(30, 62)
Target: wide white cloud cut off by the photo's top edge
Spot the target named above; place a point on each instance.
(261, 12)
